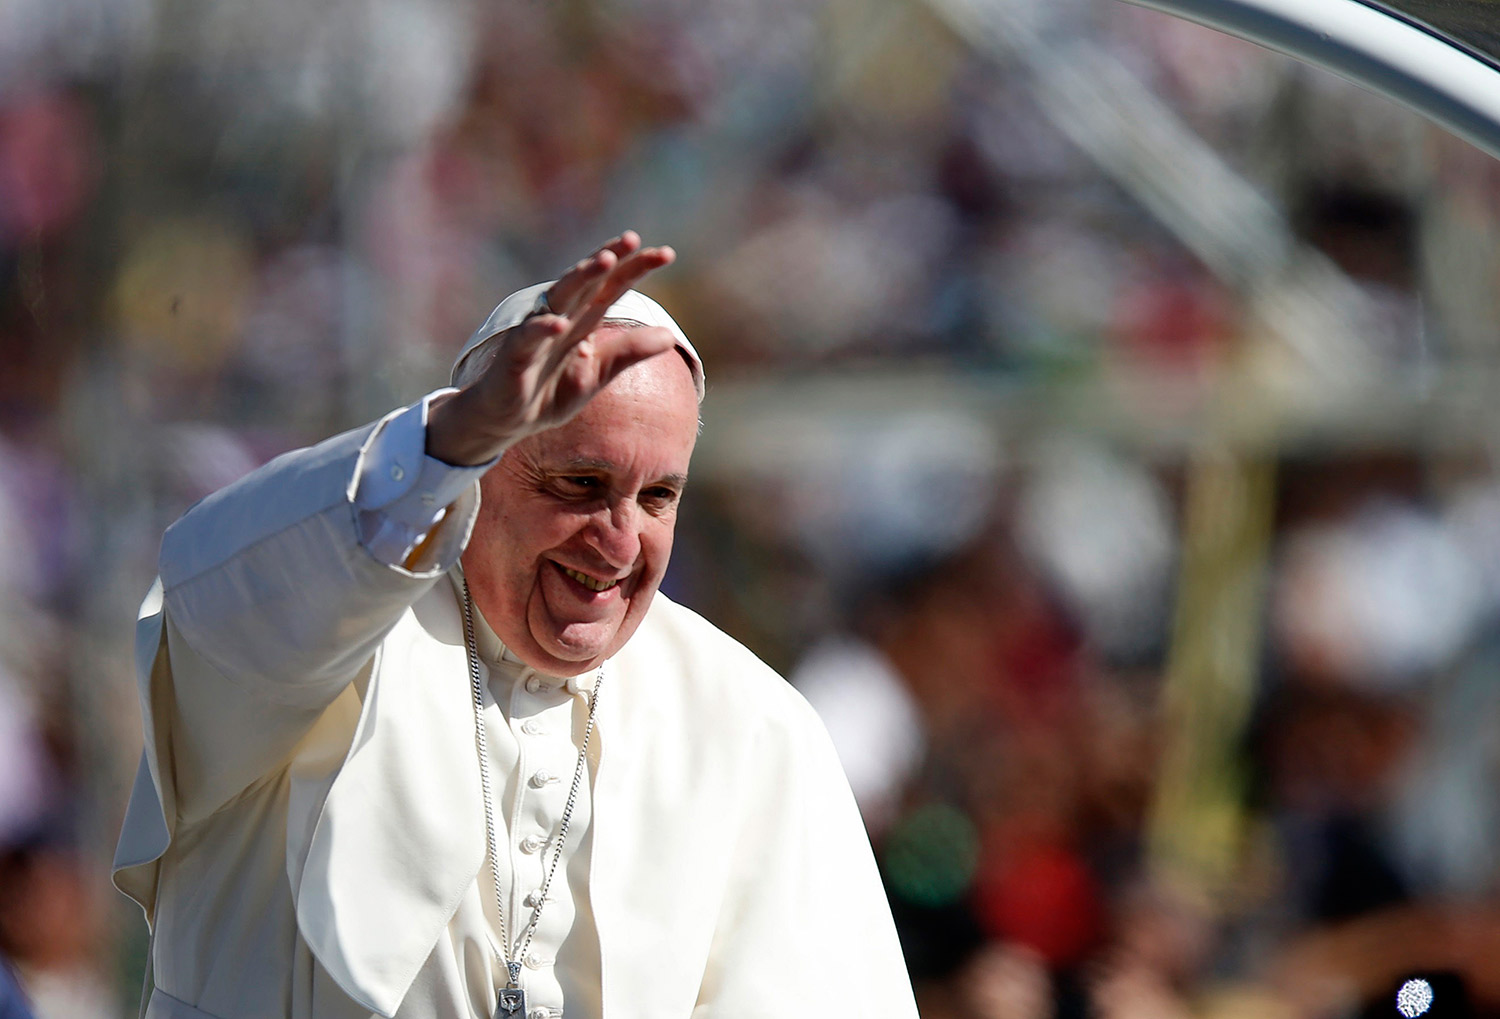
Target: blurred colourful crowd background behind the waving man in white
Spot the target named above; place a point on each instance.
(1102, 433)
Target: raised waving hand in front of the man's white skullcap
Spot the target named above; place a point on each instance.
(544, 371)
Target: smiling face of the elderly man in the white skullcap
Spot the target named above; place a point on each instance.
(575, 526)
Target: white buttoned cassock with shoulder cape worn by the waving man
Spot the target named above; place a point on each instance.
(307, 829)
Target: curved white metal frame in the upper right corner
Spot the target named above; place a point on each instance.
(1370, 47)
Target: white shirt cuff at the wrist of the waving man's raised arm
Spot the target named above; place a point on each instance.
(401, 494)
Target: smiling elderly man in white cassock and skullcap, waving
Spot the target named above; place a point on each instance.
(422, 739)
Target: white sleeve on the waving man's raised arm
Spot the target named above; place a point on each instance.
(271, 606)
